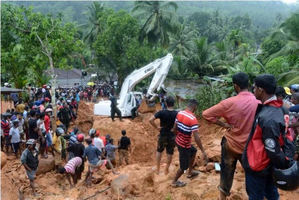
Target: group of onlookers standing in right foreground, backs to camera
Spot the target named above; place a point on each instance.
(260, 132)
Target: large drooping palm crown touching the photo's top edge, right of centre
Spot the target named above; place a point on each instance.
(159, 18)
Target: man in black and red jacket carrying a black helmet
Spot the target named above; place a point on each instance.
(264, 145)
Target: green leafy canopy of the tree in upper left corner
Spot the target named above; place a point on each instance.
(34, 42)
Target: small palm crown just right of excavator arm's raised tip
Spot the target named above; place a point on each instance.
(182, 42)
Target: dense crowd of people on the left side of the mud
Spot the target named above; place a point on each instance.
(27, 131)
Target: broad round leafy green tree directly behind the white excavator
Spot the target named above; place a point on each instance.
(117, 47)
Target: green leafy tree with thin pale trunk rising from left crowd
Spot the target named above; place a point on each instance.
(46, 38)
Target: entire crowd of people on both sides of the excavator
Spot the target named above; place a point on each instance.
(260, 132)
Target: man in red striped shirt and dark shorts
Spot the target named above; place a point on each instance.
(186, 124)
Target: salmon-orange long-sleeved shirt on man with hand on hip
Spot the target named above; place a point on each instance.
(238, 111)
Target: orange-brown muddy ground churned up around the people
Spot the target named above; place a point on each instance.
(137, 180)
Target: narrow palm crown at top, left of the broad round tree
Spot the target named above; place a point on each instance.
(94, 15)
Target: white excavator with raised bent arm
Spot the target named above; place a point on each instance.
(126, 101)
